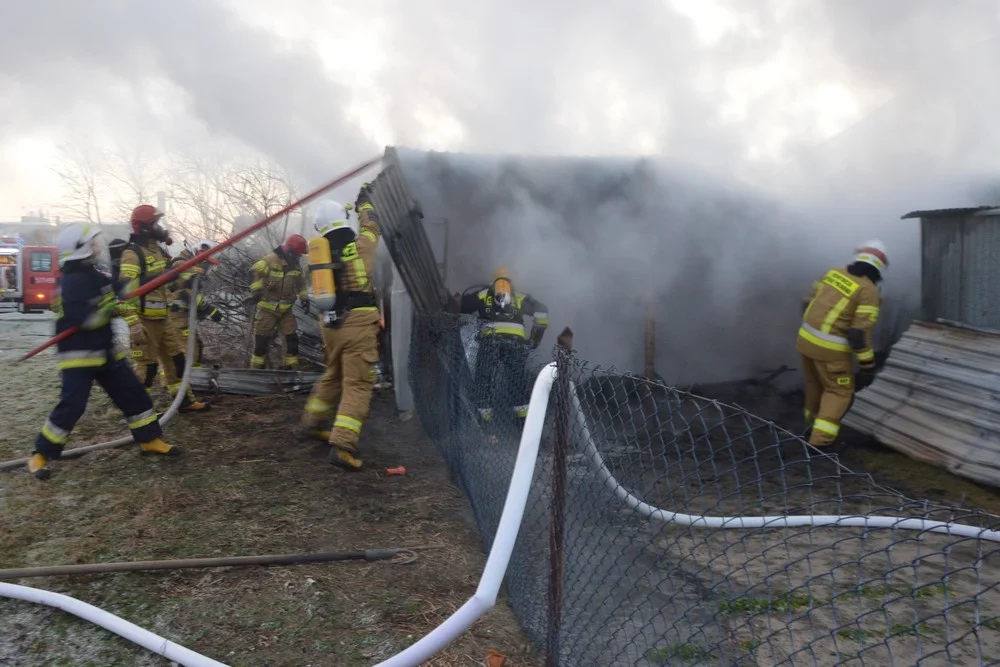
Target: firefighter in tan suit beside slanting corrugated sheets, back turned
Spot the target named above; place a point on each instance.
(842, 310)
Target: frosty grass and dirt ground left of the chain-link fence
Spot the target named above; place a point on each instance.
(248, 484)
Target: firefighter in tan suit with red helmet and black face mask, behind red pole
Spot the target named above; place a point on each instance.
(154, 343)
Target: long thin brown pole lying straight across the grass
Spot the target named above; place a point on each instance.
(369, 555)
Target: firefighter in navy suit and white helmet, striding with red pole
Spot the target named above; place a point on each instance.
(88, 299)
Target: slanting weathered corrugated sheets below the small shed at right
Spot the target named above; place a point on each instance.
(938, 400)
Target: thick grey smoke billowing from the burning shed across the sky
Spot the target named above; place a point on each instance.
(723, 260)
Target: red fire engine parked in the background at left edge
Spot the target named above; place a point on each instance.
(29, 274)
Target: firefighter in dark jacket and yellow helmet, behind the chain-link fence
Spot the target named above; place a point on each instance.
(503, 344)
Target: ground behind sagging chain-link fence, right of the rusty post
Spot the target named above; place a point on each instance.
(806, 594)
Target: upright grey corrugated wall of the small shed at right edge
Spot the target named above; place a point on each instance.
(961, 274)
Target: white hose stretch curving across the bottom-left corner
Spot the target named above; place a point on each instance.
(108, 621)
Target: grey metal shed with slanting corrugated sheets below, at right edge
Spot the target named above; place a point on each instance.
(936, 398)
